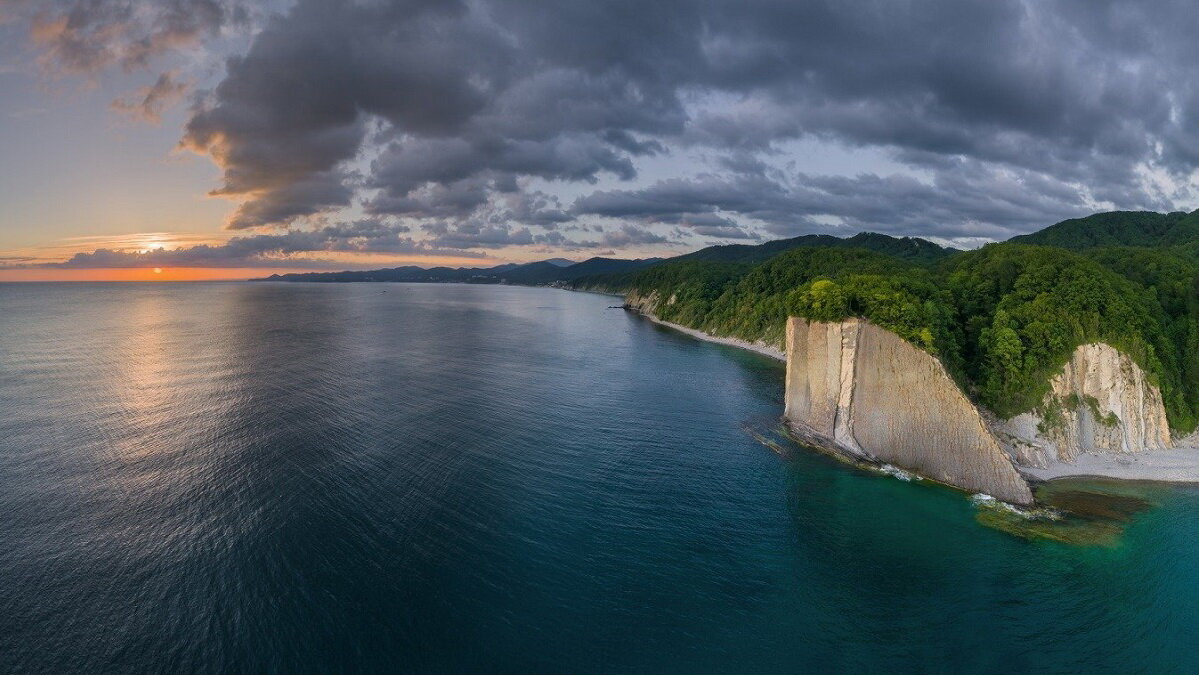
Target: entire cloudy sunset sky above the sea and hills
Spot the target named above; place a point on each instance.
(184, 140)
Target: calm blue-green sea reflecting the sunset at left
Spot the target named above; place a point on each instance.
(308, 478)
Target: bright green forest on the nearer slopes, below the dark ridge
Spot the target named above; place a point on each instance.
(1003, 320)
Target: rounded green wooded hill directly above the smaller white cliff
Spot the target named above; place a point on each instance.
(1025, 310)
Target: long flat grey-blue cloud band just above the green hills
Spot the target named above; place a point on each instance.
(965, 200)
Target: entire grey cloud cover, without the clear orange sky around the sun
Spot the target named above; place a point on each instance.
(492, 124)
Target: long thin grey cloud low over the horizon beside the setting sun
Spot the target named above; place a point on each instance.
(272, 250)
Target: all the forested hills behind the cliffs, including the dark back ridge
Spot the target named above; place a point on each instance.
(1002, 320)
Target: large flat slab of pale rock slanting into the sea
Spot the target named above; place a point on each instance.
(861, 390)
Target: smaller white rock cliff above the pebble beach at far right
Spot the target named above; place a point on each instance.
(1100, 403)
